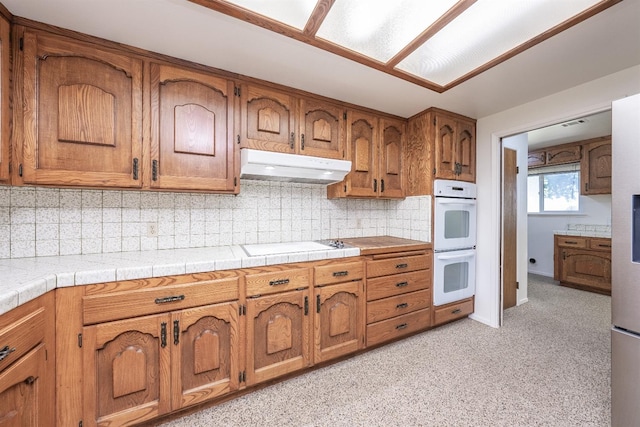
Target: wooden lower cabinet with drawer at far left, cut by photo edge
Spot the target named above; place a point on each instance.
(27, 364)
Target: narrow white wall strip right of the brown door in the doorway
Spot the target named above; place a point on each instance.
(520, 144)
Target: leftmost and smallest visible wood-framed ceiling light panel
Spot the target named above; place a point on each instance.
(294, 13)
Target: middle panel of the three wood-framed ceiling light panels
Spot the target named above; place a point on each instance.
(379, 29)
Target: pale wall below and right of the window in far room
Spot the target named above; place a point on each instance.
(595, 210)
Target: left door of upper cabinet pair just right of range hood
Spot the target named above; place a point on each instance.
(362, 137)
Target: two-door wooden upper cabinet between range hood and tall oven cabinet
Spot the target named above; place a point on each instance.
(375, 147)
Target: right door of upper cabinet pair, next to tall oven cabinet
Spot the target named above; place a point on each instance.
(391, 158)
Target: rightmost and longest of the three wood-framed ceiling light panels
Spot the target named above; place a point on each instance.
(488, 29)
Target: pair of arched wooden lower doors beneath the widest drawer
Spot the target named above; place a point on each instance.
(137, 369)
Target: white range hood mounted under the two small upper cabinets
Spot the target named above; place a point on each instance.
(271, 166)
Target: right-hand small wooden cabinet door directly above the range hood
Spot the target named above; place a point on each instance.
(321, 131)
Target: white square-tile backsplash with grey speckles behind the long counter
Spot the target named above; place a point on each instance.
(49, 221)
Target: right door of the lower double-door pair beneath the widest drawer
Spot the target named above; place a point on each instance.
(205, 353)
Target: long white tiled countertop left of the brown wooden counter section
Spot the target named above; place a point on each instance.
(23, 279)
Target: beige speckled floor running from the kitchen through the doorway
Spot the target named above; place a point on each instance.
(549, 365)
